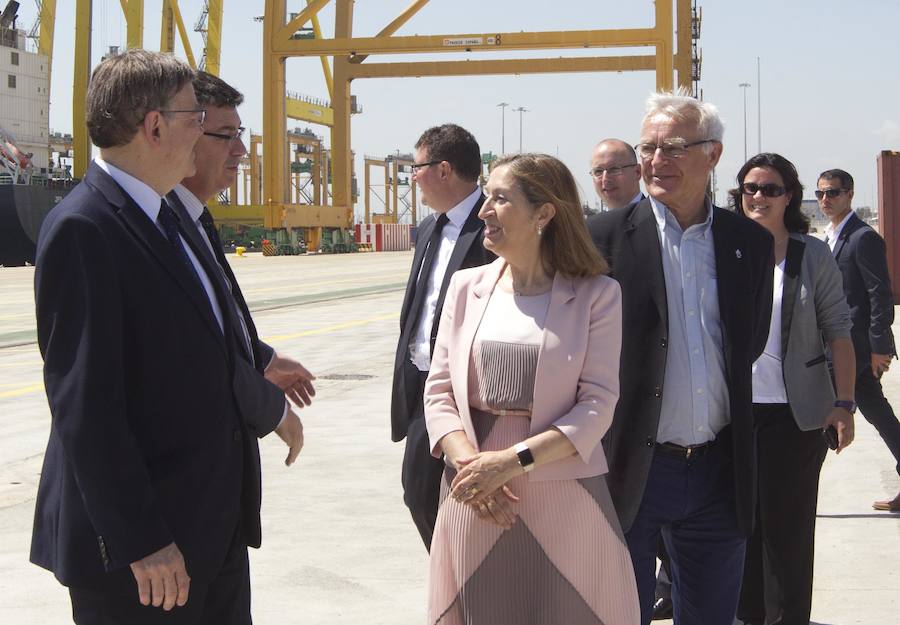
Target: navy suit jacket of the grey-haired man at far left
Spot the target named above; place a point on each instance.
(148, 440)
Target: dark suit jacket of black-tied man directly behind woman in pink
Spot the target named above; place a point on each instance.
(469, 251)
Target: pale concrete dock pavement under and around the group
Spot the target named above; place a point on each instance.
(338, 546)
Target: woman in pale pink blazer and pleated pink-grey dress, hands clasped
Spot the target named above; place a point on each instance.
(522, 387)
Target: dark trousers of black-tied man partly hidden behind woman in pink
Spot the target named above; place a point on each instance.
(421, 472)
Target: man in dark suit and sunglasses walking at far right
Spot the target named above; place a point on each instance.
(860, 255)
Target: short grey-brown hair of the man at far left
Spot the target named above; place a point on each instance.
(125, 87)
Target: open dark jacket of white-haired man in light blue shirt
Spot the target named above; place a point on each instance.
(629, 239)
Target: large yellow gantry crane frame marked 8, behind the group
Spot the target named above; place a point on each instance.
(349, 55)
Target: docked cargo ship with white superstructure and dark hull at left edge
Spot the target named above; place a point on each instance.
(34, 174)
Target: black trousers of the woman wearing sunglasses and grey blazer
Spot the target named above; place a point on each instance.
(778, 569)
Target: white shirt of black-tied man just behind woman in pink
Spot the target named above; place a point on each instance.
(420, 346)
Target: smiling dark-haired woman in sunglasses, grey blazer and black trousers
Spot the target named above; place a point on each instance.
(794, 402)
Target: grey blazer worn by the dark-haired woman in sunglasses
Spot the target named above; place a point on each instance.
(813, 310)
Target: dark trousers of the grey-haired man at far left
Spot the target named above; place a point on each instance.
(223, 601)
